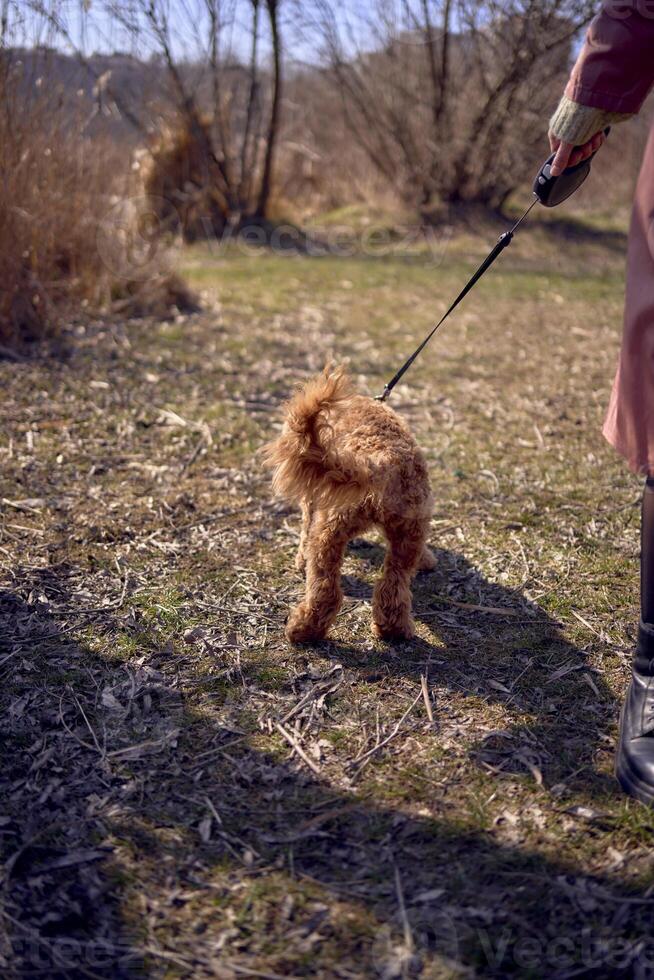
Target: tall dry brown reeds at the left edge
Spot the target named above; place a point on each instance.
(62, 252)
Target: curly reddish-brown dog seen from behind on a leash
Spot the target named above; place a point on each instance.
(351, 463)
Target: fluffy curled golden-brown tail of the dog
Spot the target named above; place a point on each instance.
(306, 464)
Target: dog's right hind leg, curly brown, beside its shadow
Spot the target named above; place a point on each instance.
(391, 602)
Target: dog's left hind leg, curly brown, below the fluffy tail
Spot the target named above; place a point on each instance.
(324, 549)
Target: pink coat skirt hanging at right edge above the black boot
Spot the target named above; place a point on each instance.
(629, 424)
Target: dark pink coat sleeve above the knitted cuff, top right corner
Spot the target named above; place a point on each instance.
(615, 69)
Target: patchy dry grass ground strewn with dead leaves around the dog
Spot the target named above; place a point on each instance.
(147, 574)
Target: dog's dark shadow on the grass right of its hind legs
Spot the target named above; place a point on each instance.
(491, 643)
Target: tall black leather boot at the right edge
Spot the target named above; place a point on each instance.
(635, 755)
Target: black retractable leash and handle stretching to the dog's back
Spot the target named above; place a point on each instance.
(548, 191)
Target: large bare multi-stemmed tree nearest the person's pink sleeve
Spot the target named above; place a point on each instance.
(447, 97)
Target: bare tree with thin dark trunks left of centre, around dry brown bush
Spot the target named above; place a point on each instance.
(213, 128)
